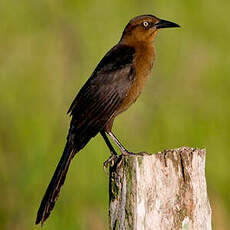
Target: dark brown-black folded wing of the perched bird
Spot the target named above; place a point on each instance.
(101, 95)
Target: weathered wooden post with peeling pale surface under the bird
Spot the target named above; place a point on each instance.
(160, 191)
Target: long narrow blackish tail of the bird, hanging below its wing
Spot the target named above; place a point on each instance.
(51, 195)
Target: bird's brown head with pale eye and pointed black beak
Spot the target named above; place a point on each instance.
(144, 28)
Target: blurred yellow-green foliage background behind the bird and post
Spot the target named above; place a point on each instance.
(48, 50)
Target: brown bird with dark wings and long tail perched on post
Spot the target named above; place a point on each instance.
(112, 88)
